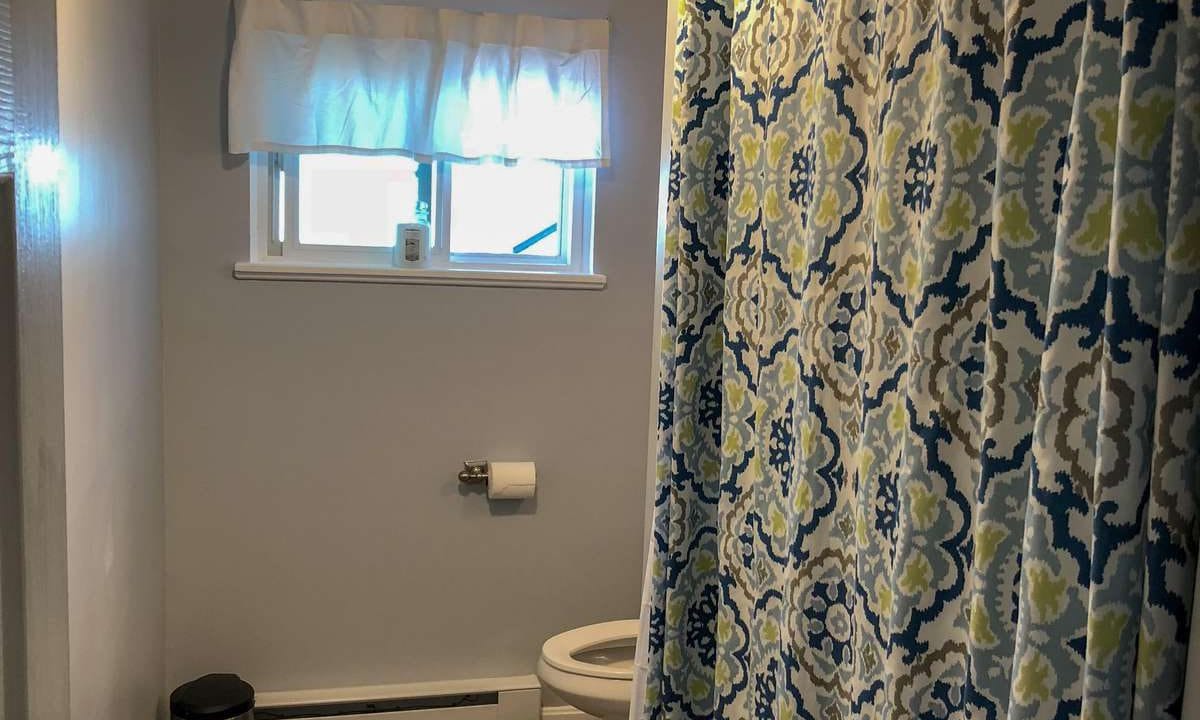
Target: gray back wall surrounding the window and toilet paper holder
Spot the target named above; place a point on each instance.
(316, 535)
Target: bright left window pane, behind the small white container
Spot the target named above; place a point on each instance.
(353, 200)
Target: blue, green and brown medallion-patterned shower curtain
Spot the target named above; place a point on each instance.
(931, 382)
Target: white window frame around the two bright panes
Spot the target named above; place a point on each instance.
(272, 209)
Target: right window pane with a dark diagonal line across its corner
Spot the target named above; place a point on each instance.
(507, 211)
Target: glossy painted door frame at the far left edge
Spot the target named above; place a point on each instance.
(40, 400)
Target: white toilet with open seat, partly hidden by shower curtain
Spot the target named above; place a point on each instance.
(592, 668)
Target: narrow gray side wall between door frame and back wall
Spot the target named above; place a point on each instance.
(112, 359)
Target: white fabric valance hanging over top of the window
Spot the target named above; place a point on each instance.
(328, 76)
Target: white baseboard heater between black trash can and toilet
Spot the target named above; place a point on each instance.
(491, 699)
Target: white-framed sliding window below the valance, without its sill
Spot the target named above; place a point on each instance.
(344, 211)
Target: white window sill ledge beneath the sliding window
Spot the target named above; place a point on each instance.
(489, 279)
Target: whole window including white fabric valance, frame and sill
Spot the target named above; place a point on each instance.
(385, 83)
